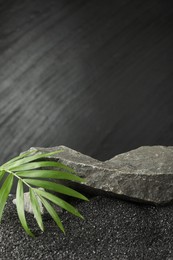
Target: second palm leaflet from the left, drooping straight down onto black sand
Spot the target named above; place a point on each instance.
(20, 207)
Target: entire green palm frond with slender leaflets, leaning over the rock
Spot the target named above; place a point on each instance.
(32, 173)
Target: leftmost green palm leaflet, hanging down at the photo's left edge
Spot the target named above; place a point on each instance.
(4, 192)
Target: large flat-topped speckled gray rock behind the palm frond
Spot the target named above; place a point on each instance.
(143, 175)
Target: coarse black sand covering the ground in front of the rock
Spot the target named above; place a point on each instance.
(113, 229)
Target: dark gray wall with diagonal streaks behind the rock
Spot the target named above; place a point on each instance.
(96, 76)
